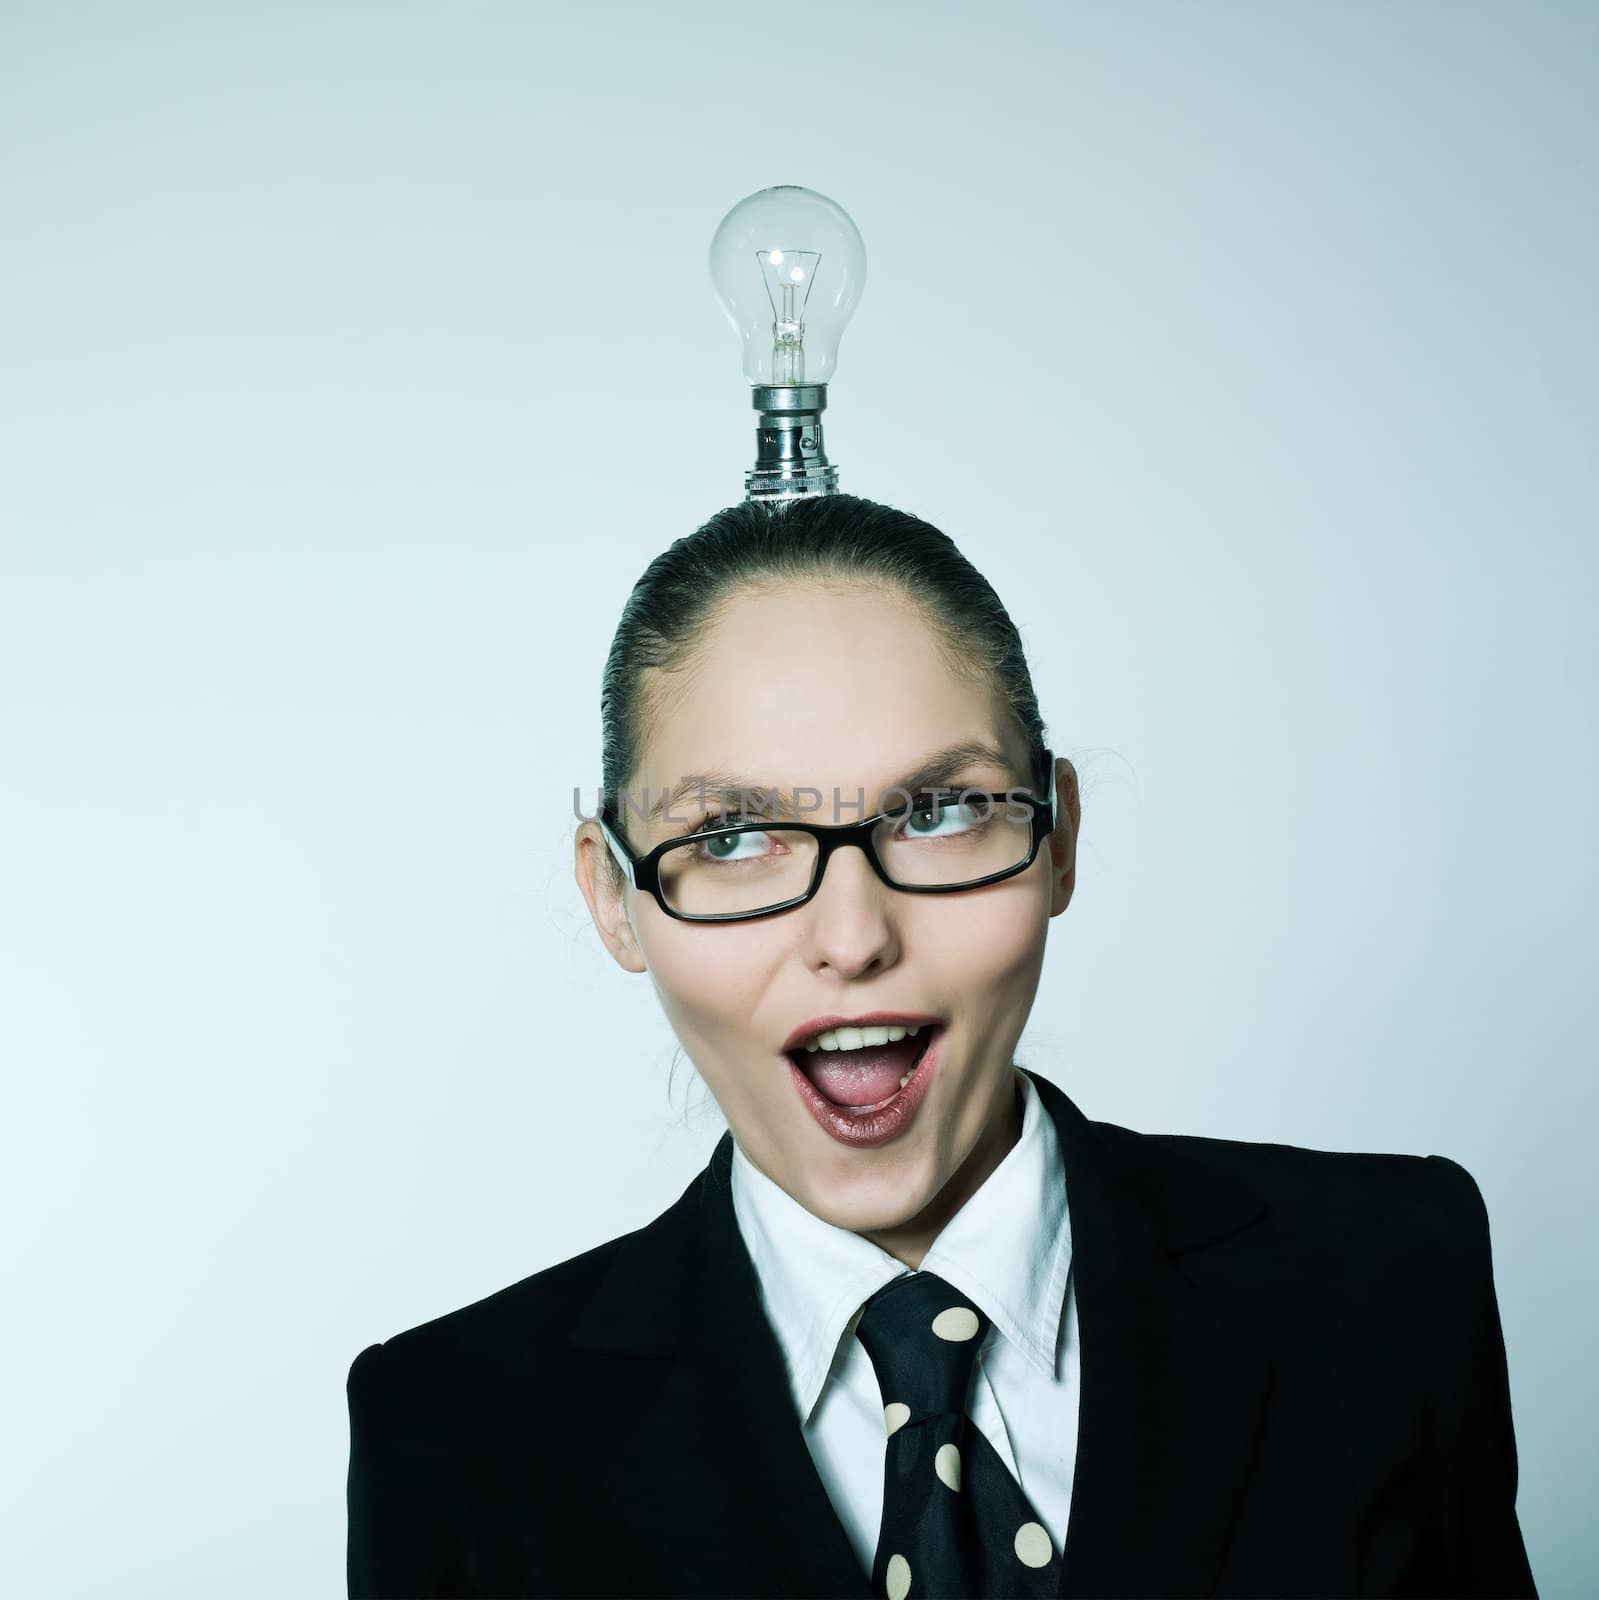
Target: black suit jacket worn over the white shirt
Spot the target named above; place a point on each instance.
(1292, 1385)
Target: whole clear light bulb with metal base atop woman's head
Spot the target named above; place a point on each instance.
(788, 266)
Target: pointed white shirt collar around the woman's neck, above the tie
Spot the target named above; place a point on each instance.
(1008, 1250)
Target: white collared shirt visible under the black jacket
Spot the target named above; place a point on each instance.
(1008, 1250)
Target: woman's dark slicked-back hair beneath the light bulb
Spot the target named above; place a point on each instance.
(825, 538)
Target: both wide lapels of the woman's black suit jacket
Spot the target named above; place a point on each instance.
(715, 1479)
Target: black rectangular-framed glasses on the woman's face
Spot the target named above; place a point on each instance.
(936, 844)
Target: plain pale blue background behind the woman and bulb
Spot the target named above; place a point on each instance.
(1249, 350)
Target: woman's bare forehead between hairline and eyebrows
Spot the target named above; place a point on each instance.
(816, 684)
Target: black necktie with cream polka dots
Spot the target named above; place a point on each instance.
(956, 1524)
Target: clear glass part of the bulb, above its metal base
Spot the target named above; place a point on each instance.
(788, 266)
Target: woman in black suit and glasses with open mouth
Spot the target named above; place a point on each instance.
(921, 1327)
